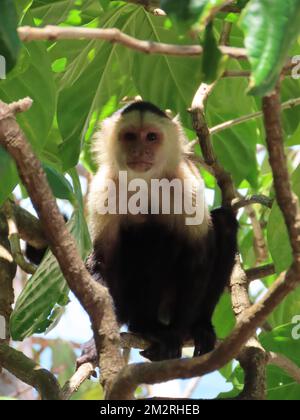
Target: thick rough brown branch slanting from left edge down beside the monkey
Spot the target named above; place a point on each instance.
(94, 297)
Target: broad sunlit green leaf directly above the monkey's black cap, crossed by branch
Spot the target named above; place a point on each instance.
(170, 82)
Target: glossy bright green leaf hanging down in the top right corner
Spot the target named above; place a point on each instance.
(270, 28)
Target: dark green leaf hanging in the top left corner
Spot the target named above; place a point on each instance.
(9, 40)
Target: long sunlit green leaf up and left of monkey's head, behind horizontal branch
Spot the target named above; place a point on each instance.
(104, 72)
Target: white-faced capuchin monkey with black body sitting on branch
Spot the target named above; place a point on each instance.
(165, 275)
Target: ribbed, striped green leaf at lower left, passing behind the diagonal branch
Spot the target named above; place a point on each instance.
(46, 289)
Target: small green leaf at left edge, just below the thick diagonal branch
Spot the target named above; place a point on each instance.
(8, 175)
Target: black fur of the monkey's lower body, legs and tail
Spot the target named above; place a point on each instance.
(165, 286)
